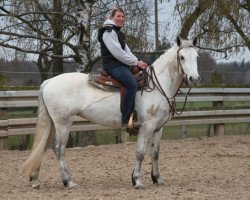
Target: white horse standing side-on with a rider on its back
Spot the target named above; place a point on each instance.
(70, 94)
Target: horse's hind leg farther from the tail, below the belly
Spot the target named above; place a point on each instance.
(61, 138)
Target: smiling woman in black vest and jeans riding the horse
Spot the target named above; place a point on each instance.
(117, 58)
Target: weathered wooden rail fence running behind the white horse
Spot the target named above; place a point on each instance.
(217, 114)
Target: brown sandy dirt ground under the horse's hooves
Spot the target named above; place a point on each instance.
(205, 168)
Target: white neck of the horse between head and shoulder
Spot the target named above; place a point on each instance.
(167, 71)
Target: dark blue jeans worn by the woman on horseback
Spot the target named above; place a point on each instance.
(124, 75)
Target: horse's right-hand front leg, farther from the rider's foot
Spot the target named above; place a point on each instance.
(154, 153)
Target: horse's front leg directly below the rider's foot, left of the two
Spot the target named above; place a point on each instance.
(141, 149)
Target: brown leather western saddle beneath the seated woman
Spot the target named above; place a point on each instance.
(102, 80)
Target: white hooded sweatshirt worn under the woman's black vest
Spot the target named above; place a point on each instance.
(111, 41)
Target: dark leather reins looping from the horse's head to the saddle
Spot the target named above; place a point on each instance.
(156, 84)
